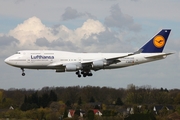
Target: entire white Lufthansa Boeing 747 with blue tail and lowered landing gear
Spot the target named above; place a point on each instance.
(83, 63)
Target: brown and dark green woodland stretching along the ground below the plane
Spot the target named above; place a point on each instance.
(53, 102)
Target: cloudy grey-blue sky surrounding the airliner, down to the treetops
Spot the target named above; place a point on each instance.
(89, 26)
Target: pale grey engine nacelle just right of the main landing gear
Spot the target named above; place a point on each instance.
(99, 63)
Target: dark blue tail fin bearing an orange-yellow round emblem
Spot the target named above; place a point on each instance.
(157, 43)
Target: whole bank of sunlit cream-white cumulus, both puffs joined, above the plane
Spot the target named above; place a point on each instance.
(32, 29)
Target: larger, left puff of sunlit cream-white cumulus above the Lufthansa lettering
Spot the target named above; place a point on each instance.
(30, 30)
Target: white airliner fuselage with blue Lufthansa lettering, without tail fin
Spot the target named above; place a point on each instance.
(47, 59)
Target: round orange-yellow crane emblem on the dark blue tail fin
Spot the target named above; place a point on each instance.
(159, 41)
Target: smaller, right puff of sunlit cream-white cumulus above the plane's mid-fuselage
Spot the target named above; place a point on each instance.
(76, 36)
